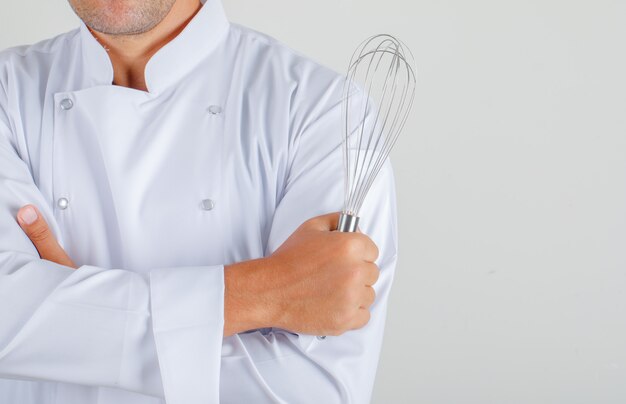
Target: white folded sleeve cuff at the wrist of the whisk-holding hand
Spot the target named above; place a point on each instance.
(188, 324)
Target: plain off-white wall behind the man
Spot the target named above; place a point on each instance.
(511, 178)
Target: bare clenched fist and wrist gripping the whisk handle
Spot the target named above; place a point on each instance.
(318, 282)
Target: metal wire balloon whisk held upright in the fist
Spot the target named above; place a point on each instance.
(383, 68)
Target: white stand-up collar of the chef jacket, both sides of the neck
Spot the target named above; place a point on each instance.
(173, 61)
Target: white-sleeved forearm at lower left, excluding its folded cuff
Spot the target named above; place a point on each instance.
(90, 326)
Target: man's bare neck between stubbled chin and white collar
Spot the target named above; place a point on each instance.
(130, 53)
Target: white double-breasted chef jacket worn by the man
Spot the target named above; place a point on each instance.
(236, 142)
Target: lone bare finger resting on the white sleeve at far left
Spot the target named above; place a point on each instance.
(36, 228)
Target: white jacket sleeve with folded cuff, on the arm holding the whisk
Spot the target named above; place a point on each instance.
(99, 326)
